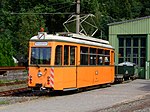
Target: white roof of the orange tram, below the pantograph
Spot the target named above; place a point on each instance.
(71, 37)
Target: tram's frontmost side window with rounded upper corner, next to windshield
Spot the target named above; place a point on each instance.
(58, 55)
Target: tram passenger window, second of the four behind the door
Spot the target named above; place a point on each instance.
(92, 56)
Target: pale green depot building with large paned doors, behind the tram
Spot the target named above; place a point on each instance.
(131, 40)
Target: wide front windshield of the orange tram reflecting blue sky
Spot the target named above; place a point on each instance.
(40, 55)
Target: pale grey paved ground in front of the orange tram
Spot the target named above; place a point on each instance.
(89, 101)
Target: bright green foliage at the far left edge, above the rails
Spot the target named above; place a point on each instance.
(6, 48)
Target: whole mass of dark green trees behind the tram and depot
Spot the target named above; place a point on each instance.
(19, 20)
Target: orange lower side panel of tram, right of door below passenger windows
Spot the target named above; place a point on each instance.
(90, 76)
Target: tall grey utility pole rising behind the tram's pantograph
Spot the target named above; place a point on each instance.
(78, 16)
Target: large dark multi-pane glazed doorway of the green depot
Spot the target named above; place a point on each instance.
(132, 48)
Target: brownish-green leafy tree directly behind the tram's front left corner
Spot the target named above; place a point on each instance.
(28, 26)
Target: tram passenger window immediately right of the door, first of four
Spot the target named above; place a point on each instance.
(84, 56)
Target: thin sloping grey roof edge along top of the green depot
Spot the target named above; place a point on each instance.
(127, 21)
